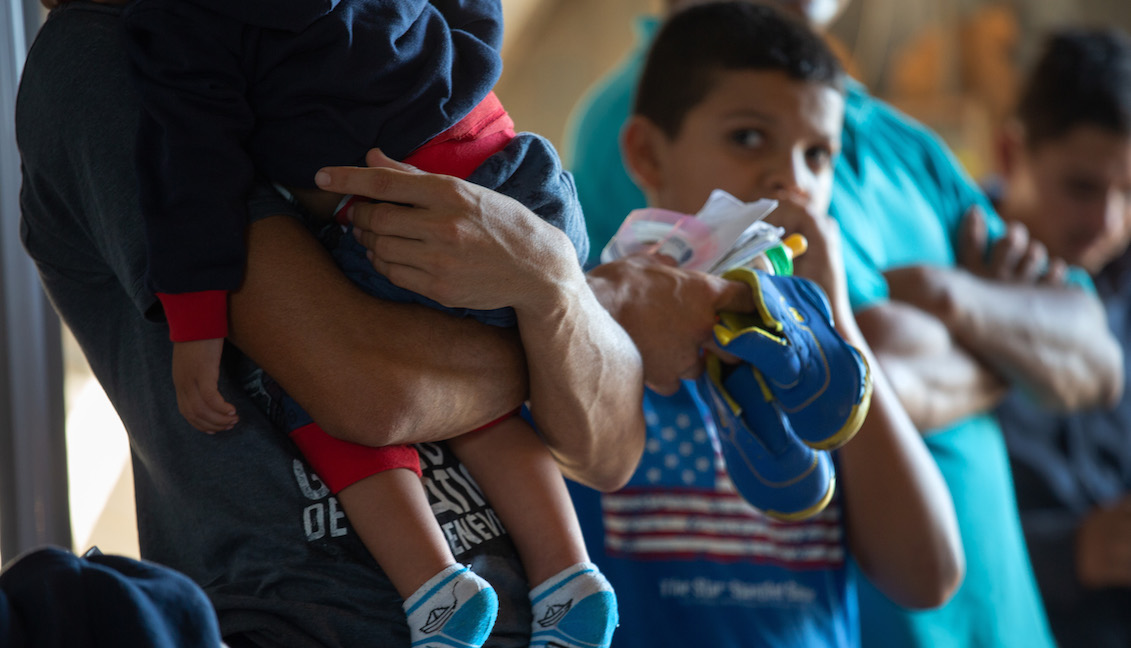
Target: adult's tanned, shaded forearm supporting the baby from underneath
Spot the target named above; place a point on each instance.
(367, 371)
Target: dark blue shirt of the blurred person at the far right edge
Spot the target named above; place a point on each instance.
(1064, 469)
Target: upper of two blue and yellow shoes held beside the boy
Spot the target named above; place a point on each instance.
(819, 381)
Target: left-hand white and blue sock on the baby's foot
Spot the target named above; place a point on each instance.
(455, 609)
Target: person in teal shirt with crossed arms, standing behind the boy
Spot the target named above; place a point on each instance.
(954, 321)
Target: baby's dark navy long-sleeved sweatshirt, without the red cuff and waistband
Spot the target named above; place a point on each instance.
(231, 89)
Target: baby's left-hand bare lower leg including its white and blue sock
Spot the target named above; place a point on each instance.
(444, 600)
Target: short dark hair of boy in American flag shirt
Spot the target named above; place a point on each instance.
(704, 40)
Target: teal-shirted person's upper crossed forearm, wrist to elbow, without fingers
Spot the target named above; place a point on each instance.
(1052, 341)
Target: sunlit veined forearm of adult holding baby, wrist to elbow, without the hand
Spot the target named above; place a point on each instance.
(586, 384)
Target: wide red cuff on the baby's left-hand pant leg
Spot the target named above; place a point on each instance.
(342, 464)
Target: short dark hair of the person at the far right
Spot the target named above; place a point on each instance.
(1082, 79)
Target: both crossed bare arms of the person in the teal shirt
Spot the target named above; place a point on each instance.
(955, 340)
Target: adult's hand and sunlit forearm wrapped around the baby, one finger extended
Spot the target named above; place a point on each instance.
(464, 246)
